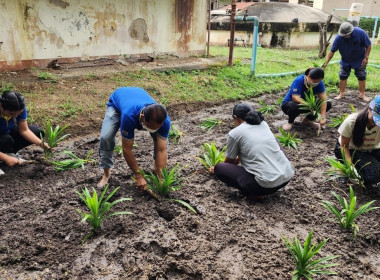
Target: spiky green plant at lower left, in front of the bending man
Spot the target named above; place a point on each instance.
(99, 207)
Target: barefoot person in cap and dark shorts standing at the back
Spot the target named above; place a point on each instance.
(354, 46)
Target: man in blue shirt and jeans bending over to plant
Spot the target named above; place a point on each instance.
(131, 108)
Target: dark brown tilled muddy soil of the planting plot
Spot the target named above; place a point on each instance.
(230, 238)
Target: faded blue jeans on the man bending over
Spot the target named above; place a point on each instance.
(110, 126)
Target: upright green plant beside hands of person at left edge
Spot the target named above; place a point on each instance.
(53, 137)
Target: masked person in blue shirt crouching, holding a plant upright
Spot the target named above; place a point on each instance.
(291, 104)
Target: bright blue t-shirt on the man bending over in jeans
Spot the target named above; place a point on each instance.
(129, 101)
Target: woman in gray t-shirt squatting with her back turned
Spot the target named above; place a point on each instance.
(263, 168)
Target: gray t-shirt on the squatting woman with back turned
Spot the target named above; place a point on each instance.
(259, 154)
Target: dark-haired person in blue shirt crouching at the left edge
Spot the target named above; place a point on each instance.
(15, 133)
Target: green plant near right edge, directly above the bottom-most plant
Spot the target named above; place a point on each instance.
(347, 215)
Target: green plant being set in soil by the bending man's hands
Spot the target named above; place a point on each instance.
(170, 182)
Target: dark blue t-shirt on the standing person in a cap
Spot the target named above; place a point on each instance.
(352, 49)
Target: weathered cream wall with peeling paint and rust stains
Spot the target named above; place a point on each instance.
(33, 32)
